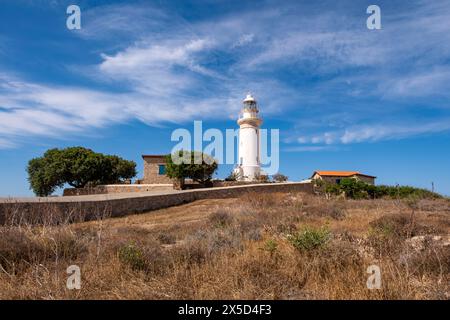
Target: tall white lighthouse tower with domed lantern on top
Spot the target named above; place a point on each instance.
(249, 141)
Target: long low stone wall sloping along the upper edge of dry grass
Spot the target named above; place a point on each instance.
(85, 208)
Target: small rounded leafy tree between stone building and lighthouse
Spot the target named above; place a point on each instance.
(190, 164)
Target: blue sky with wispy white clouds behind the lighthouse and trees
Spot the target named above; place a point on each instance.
(344, 97)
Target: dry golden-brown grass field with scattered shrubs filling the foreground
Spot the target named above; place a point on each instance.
(223, 249)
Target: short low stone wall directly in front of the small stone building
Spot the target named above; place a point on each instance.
(116, 188)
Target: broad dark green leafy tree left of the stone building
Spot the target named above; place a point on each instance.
(78, 167)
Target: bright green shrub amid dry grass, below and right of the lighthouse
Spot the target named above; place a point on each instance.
(310, 238)
